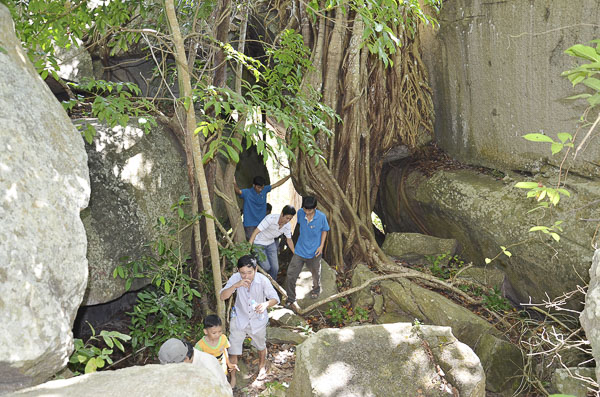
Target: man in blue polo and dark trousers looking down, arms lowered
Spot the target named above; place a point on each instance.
(309, 248)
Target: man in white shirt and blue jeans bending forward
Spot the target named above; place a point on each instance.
(263, 237)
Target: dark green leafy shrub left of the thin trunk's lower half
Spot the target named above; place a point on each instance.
(165, 309)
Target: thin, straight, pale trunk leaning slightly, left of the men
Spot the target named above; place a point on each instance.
(185, 88)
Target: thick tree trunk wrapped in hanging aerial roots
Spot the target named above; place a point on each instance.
(380, 108)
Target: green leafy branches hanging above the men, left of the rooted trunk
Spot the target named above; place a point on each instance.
(275, 92)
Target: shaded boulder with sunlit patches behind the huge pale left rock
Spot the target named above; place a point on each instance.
(135, 179)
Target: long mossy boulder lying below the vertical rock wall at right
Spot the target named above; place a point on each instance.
(484, 213)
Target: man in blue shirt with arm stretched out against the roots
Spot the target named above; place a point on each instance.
(255, 202)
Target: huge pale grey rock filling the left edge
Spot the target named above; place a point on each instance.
(43, 186)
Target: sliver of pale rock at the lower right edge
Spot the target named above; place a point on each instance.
(590, 317)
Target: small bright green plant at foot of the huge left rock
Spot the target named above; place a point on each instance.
(88, 358)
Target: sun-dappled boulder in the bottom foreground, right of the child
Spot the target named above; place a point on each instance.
(385, 360)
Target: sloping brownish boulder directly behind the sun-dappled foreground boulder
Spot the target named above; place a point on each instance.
(406, 301)
